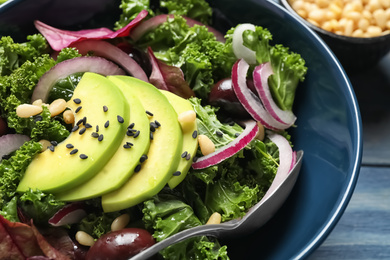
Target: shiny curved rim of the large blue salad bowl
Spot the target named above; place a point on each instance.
(344, 200)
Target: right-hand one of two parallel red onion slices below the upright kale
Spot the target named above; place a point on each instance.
(260, 80)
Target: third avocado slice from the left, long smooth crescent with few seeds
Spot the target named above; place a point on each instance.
(163, 154)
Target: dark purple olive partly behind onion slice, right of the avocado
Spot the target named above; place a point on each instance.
(222, 95)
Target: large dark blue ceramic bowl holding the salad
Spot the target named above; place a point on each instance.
(329, 124)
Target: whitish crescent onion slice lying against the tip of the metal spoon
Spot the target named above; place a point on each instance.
(287, 160)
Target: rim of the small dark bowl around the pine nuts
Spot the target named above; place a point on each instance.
(355, 40)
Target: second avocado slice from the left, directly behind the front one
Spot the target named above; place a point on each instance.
(122, 164)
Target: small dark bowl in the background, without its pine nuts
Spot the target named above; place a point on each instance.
(355, 53)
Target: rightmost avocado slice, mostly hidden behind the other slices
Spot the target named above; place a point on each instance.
(190, 141)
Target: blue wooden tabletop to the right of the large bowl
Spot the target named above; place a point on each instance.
(363, 231)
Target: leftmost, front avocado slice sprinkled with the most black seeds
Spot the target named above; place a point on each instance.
(64, 168)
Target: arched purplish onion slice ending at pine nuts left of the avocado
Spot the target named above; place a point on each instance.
(61, 70)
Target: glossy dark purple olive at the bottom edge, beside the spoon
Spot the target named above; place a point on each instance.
(121, 244)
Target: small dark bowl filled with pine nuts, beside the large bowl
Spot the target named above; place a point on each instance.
(357, 31)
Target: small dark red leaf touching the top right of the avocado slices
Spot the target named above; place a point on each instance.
(168, 78)
